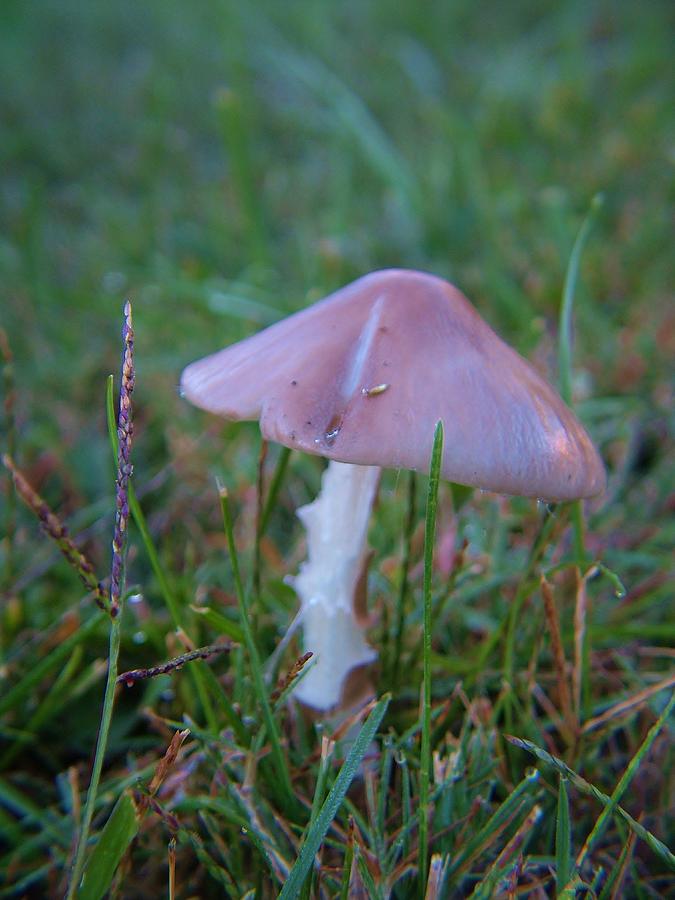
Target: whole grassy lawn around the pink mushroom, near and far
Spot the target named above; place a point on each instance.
(222, 166)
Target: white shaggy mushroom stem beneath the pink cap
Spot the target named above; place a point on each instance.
(337, 529)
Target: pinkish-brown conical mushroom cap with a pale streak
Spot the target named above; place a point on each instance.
(364, 375)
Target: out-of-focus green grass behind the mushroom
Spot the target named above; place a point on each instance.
(225, 163)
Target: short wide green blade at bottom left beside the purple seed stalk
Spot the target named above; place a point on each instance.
(118, 832)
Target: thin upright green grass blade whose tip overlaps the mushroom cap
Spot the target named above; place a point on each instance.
(425, 758)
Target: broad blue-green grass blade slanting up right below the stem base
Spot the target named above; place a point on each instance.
(333, 801)
